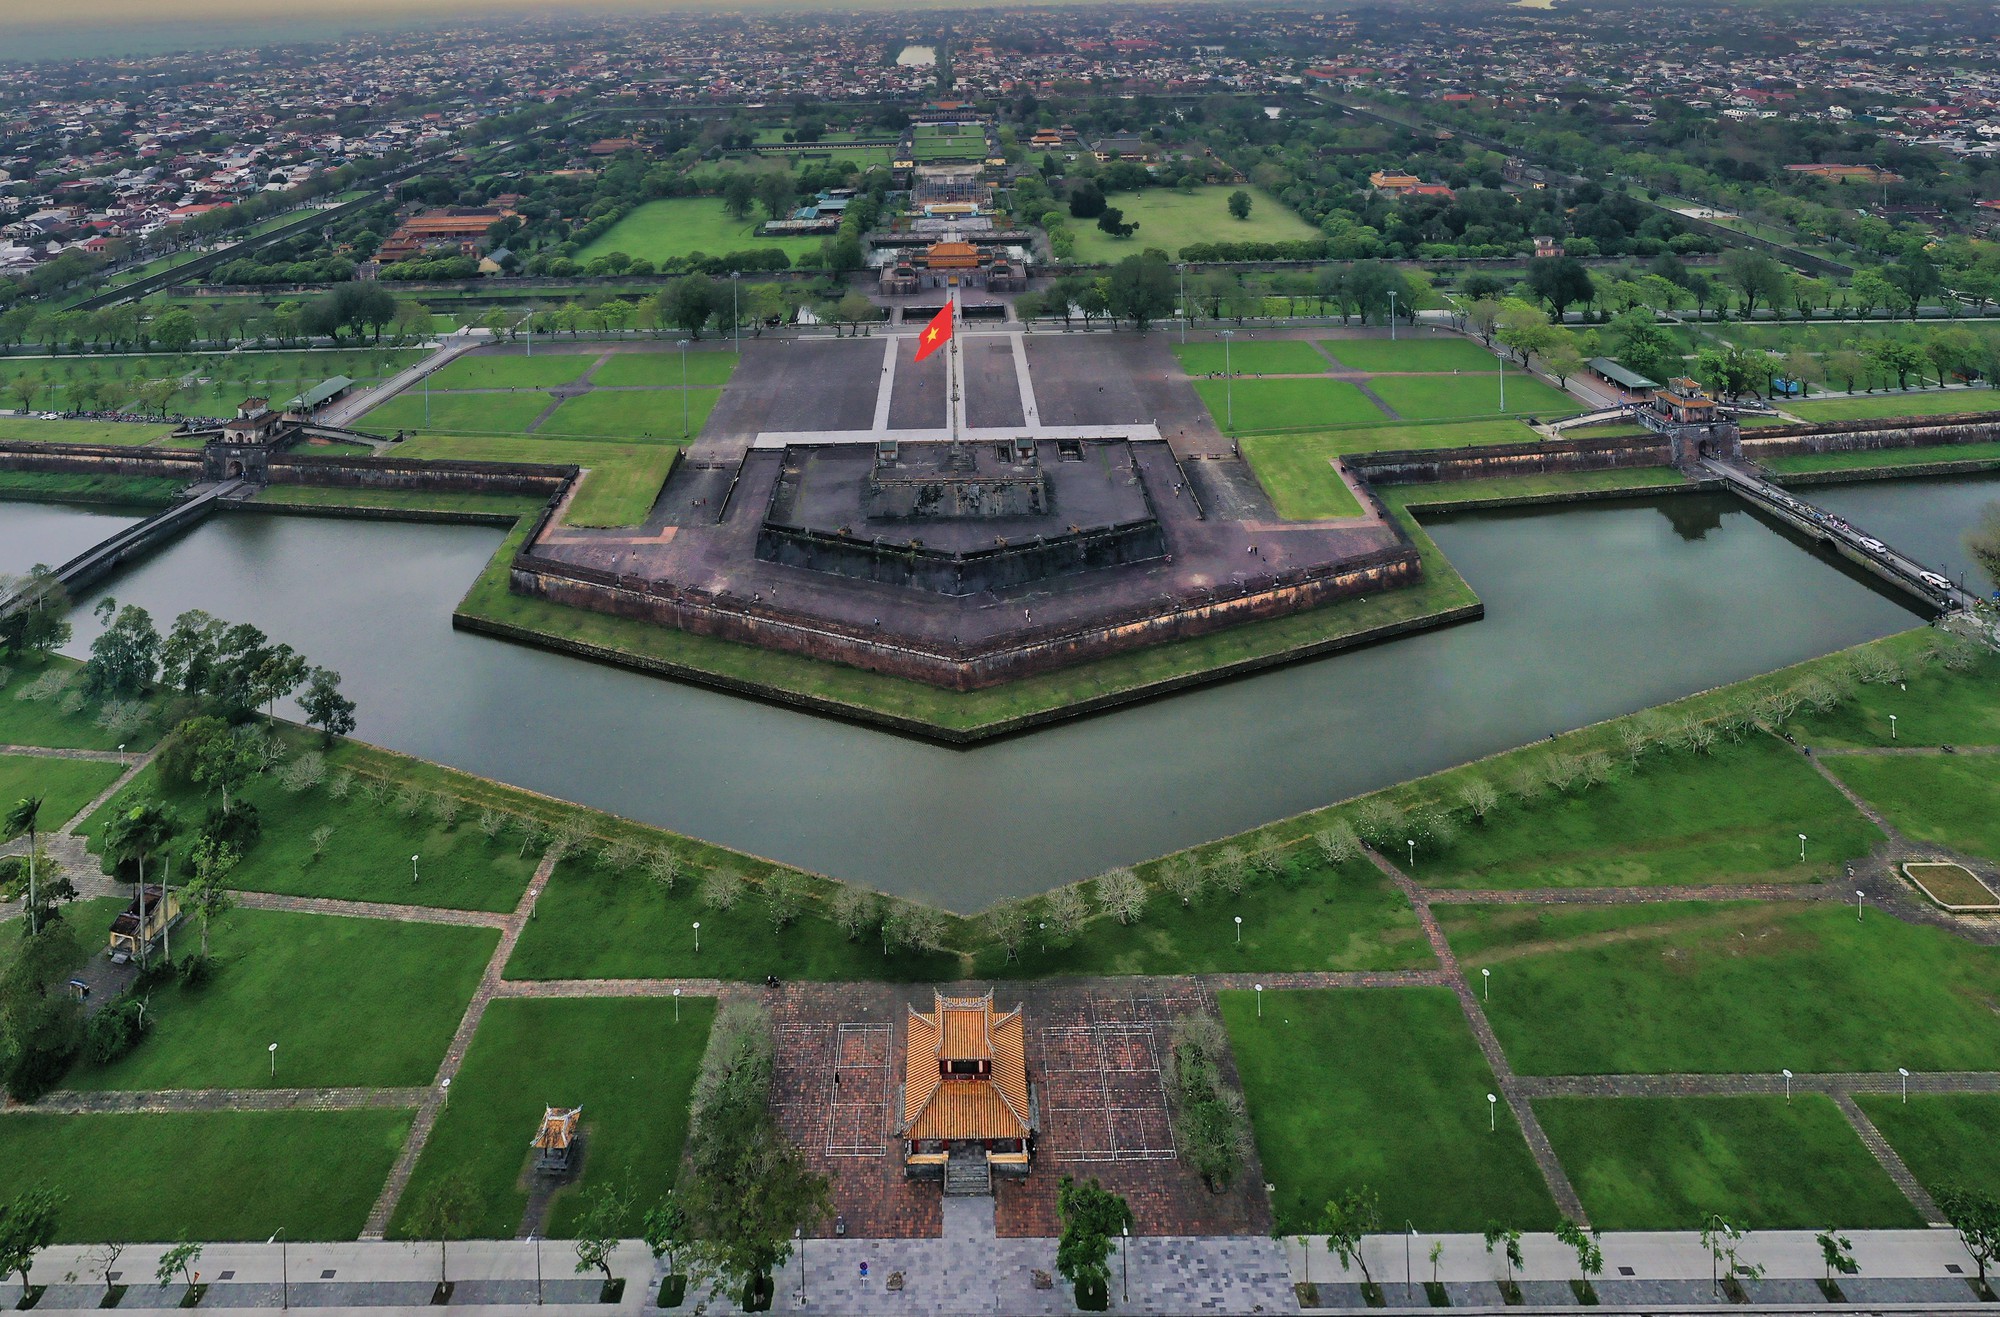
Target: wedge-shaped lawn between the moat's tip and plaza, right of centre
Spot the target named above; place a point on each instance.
(1309, 920)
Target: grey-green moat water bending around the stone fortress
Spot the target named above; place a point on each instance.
(1593, 611)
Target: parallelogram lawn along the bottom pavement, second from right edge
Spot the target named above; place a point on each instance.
(1663, 1164)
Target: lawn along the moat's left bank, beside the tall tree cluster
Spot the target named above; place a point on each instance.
(351, 836)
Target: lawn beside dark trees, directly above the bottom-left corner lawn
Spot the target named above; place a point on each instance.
(349, 1002)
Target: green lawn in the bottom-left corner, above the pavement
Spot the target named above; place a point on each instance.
(205, 1176)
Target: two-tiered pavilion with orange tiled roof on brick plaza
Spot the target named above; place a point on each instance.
(967, 1094)
